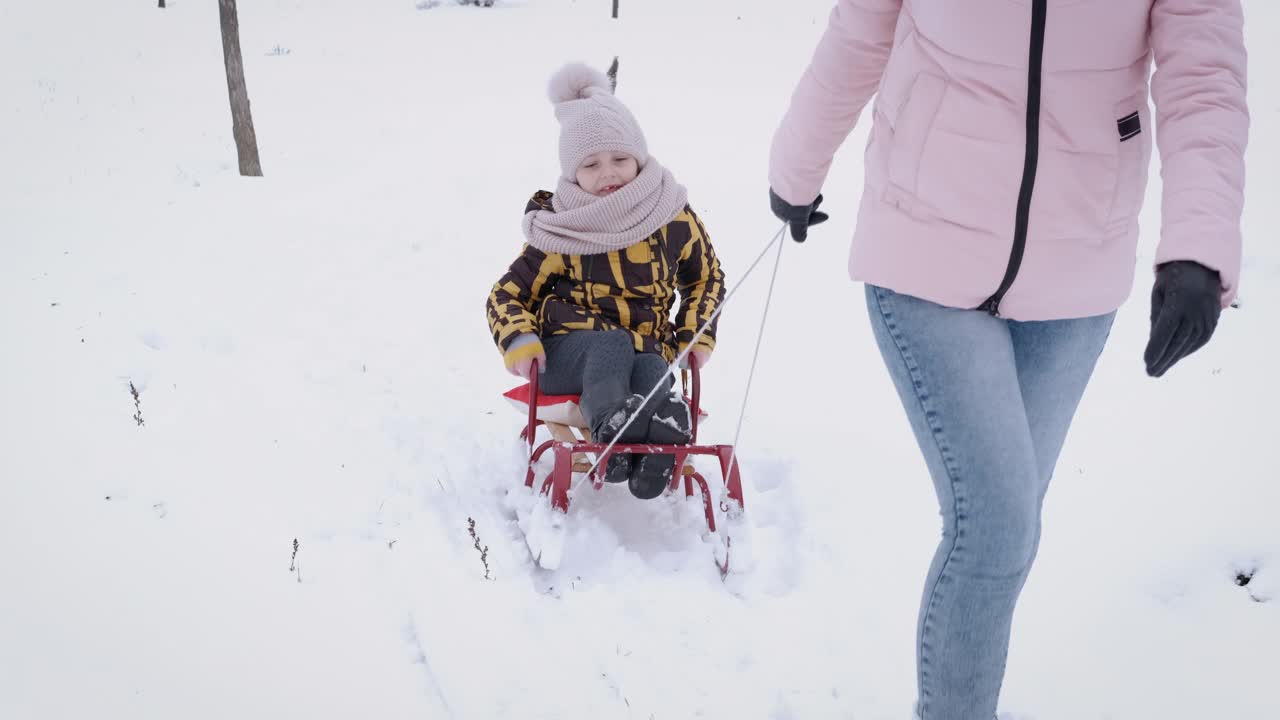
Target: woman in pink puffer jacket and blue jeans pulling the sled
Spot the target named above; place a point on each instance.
(998, 231)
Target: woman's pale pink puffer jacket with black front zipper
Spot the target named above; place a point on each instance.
(1012, 139)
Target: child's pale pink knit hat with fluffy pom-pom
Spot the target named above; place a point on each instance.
(592, 119)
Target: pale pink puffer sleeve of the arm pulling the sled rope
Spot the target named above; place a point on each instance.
(839, 83)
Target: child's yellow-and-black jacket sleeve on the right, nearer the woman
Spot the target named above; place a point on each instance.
(702, 286)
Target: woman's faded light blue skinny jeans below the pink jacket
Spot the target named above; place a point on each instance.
(990, 403)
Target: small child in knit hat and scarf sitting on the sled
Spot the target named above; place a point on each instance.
(591, 295)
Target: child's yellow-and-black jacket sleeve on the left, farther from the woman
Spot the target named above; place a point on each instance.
(515, 298)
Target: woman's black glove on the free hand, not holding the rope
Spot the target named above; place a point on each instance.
(1186, 304)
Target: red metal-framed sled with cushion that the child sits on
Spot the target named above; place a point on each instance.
(572, 446)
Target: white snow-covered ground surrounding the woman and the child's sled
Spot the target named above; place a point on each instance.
(286, 531)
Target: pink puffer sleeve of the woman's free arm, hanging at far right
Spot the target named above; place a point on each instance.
(1203, 127)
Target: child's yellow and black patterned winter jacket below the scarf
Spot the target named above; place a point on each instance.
(633, 289)
